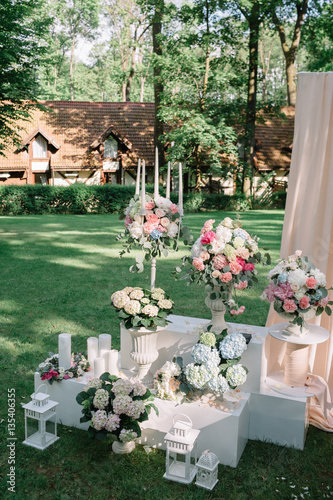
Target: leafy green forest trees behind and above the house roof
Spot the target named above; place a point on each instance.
(212, 67)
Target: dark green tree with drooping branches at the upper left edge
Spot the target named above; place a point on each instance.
(21, 46)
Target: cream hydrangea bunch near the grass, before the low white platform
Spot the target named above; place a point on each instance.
(115, 406)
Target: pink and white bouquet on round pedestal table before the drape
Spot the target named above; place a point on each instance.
(297, 289)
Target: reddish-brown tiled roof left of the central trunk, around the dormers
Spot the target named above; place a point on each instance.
(75, 126)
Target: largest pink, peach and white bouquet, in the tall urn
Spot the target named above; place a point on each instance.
(224, 259)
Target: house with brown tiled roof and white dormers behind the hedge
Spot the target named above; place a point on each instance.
(98, 142)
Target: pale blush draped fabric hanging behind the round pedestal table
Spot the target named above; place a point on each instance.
(308, 222)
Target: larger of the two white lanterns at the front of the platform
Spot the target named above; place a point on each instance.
(180, 444)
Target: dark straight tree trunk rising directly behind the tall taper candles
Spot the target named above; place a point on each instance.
(158, 85)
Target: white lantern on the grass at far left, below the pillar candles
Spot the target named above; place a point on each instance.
(40, 420)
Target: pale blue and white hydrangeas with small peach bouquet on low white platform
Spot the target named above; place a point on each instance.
(216, 368)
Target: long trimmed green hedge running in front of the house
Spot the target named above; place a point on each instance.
(109, 198)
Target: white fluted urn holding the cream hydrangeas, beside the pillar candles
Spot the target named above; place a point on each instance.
(144, 352)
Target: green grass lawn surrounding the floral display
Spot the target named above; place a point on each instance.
(57, 275)
